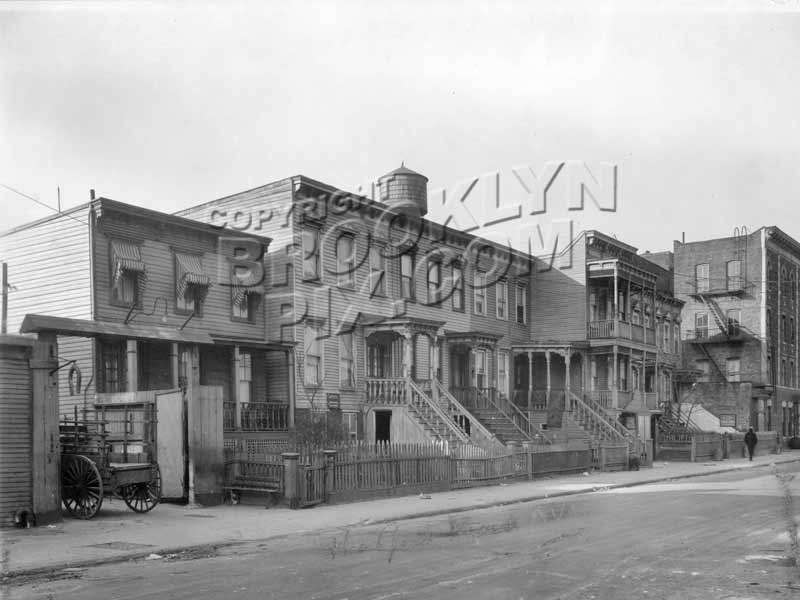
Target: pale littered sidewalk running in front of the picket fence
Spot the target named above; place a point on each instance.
(118, 534)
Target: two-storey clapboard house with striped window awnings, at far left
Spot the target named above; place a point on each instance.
(143, 303)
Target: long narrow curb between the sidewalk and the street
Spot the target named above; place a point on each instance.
(9, 577)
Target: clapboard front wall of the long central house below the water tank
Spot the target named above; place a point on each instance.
(336, 305)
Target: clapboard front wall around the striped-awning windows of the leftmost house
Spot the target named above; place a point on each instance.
(158, 246)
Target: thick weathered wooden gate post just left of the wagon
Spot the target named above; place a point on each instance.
(45, 459)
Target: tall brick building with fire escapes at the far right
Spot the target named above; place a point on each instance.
(740, 326)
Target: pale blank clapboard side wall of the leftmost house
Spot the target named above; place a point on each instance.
(49, 267)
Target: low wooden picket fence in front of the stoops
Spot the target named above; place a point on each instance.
(360, 471)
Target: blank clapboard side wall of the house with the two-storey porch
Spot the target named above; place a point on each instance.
(559, 297)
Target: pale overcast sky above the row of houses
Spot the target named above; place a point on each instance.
(166, 105)
